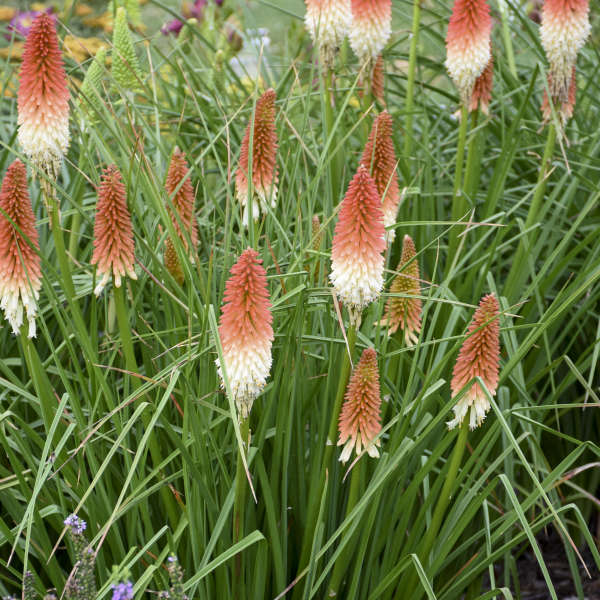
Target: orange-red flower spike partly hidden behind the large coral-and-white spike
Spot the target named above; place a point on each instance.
(379, 158)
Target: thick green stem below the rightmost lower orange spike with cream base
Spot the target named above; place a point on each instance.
(412, 590)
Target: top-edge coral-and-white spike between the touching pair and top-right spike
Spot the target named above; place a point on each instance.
(468, 50)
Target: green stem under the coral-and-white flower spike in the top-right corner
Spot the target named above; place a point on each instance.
(518, 270)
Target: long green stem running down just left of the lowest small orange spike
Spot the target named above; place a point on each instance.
(315, 494)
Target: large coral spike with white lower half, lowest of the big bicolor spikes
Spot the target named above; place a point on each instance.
(245, 331)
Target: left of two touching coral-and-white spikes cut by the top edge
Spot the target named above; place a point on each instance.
(328, 23)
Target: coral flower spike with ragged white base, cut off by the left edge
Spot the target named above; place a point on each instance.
(20, 275)
